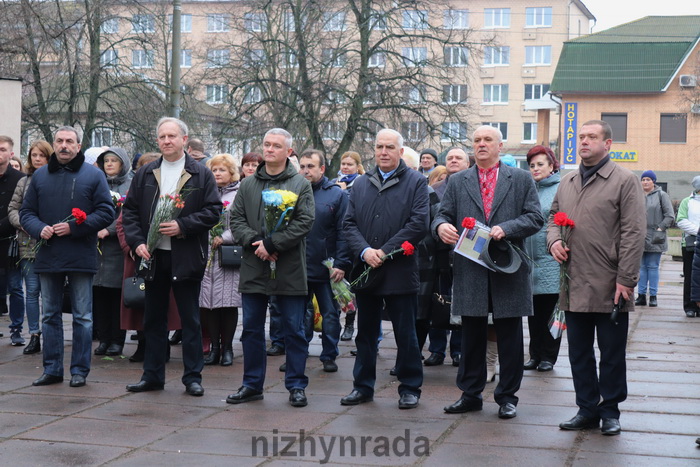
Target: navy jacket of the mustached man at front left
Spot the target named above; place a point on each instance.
(55, 190)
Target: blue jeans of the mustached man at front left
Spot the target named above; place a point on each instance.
(81, 305)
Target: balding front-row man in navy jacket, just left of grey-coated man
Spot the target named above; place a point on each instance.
(388, 207)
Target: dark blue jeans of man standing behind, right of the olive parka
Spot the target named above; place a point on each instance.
(330, 313)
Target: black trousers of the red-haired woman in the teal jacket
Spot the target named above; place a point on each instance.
(543, 347)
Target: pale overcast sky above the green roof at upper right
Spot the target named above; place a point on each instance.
(610, 13)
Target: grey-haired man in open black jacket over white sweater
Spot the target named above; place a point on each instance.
(179, 257)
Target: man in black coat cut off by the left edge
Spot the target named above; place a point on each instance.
(9, 274)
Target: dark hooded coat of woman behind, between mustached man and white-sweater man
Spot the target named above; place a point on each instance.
(110, 259)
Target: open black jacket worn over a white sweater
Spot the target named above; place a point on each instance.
(201, 213)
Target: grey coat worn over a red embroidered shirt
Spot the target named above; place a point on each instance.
(516, 209)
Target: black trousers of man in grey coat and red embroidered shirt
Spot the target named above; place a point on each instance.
(471, 376)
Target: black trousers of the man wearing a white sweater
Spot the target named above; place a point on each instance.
(155, 323)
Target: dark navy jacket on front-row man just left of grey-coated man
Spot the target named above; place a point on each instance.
(383, 216)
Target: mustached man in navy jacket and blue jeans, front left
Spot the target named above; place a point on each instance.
(70, 249)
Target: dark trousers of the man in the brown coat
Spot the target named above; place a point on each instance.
(598, 392)
